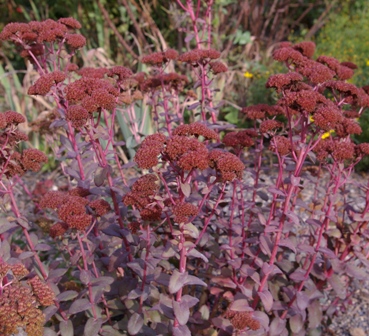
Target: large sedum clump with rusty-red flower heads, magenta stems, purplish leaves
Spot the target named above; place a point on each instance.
(199, 234)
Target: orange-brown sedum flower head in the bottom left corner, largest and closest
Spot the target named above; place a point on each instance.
(18, 309)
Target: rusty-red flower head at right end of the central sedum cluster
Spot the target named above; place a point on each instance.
(227, 164)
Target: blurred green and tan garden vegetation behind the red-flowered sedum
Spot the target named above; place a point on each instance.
(121, 31)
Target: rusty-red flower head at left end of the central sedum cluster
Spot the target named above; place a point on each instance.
(147, 155)
